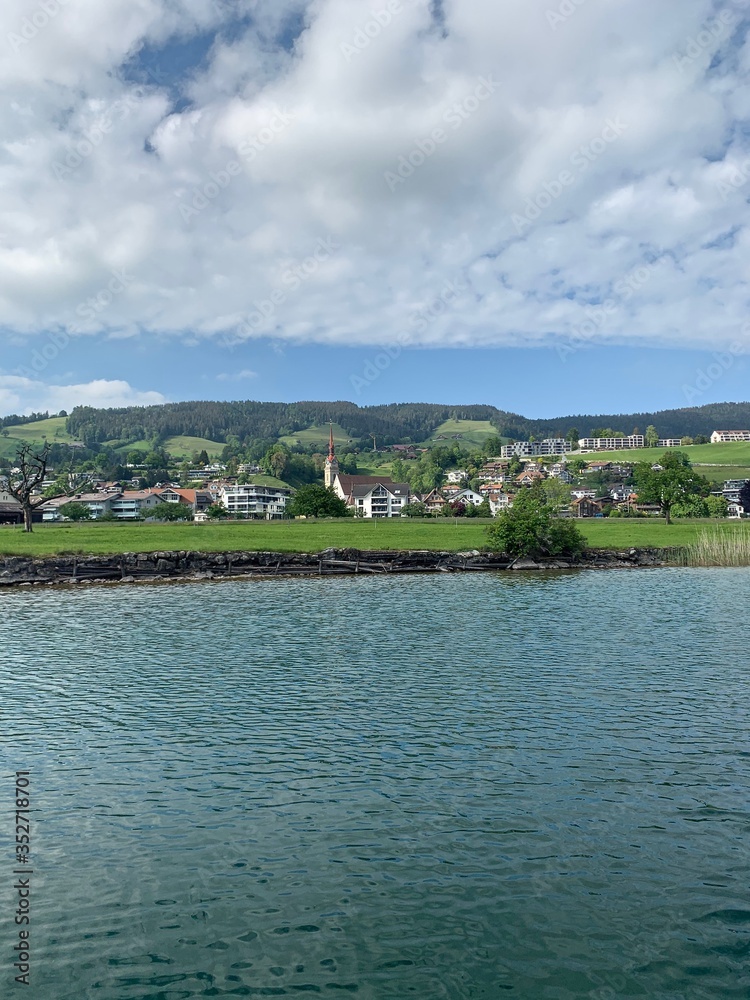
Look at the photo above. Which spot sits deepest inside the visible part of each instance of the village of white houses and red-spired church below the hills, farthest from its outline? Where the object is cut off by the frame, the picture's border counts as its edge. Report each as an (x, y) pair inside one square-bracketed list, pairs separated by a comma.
[(580, 482)]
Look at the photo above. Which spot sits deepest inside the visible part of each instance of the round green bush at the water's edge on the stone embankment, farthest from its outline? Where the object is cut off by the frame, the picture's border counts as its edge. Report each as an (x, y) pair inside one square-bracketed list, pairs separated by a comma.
[(529, 529)]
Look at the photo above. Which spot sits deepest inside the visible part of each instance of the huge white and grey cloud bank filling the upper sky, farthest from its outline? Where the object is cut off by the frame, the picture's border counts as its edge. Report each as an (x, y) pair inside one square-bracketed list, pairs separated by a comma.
[(211, 208)]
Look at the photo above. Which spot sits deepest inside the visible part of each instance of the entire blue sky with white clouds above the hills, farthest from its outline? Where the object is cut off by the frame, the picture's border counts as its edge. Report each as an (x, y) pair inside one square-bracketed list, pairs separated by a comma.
[(538, 204)]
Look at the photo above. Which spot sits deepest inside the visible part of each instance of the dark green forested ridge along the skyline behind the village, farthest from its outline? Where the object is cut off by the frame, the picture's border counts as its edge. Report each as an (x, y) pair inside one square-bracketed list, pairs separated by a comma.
[(393, 423)]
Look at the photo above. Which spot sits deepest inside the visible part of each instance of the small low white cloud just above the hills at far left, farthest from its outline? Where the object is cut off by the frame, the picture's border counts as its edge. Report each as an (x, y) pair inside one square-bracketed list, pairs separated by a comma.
[(24, 395)]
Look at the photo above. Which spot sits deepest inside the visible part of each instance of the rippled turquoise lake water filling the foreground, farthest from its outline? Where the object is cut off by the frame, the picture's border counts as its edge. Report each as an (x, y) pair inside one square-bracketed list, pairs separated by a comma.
[(453, 787)]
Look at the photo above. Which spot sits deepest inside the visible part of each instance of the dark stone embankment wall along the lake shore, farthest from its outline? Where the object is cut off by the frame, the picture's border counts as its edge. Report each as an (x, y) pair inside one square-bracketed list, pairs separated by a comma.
[(150, 566)]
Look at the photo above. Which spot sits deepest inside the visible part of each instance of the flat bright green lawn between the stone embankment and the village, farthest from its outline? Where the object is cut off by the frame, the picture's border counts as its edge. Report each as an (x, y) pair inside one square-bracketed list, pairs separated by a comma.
[(312, 536)]
